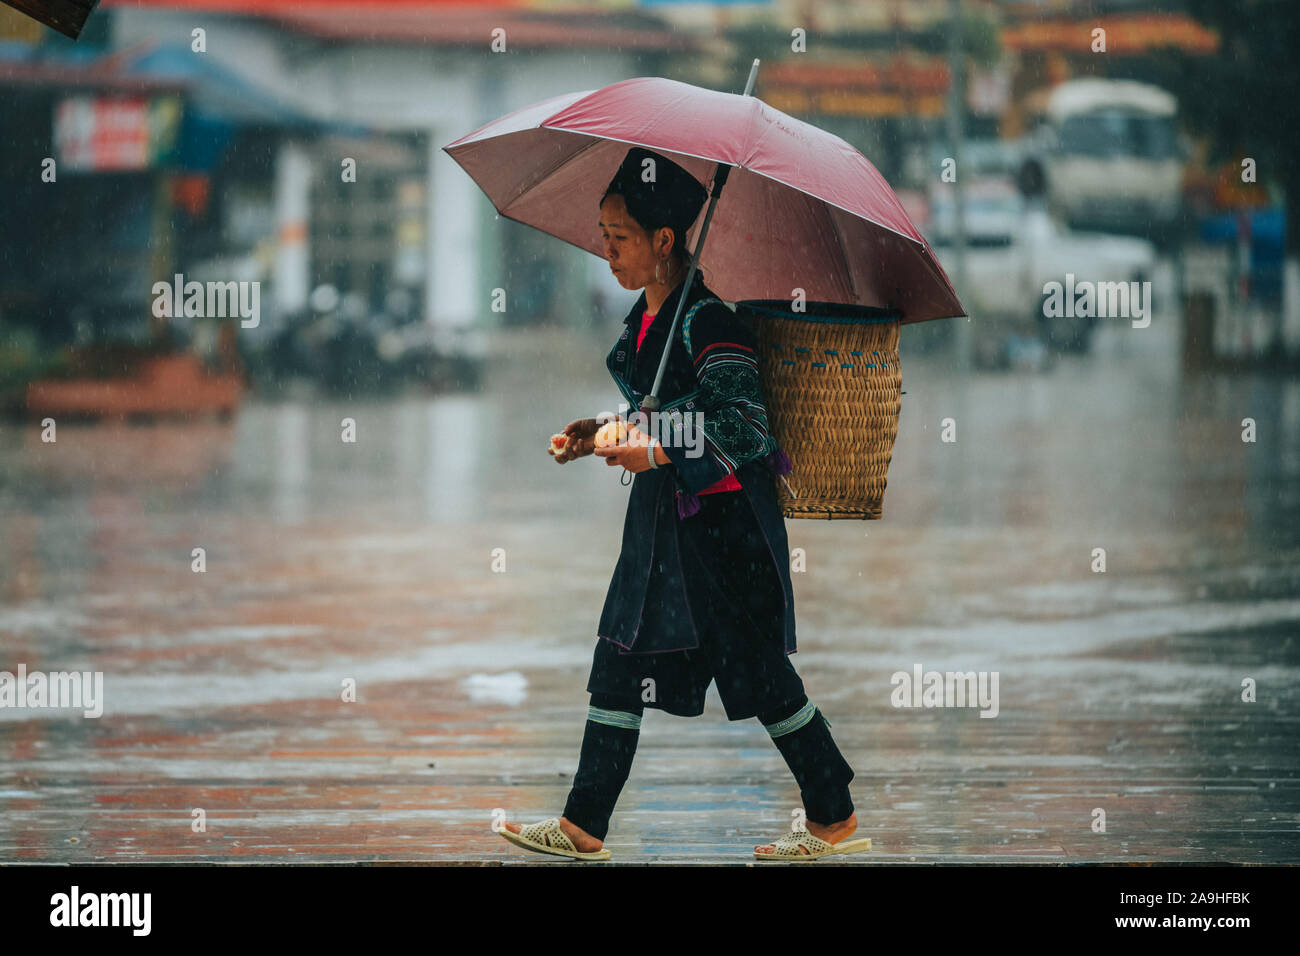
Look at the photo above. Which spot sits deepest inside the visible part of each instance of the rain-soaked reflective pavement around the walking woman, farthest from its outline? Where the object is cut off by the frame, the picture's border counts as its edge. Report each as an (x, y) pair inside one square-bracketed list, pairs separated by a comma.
[(371, 563)]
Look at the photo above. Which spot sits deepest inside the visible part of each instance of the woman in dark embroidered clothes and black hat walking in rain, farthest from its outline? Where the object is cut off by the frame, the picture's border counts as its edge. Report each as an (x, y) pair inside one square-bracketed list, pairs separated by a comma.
[(701, 591)]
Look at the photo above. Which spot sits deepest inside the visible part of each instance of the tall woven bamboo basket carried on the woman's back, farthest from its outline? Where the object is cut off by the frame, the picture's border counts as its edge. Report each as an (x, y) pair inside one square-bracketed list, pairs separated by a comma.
[(834, 388)]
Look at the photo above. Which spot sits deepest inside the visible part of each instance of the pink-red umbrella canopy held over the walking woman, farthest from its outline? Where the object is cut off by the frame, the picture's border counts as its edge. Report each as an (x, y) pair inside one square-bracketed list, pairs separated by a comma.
[(801, 210)]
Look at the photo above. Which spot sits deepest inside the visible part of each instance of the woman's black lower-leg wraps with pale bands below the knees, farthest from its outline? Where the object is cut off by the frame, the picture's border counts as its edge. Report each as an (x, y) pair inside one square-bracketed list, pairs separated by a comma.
[(820, 769)]
